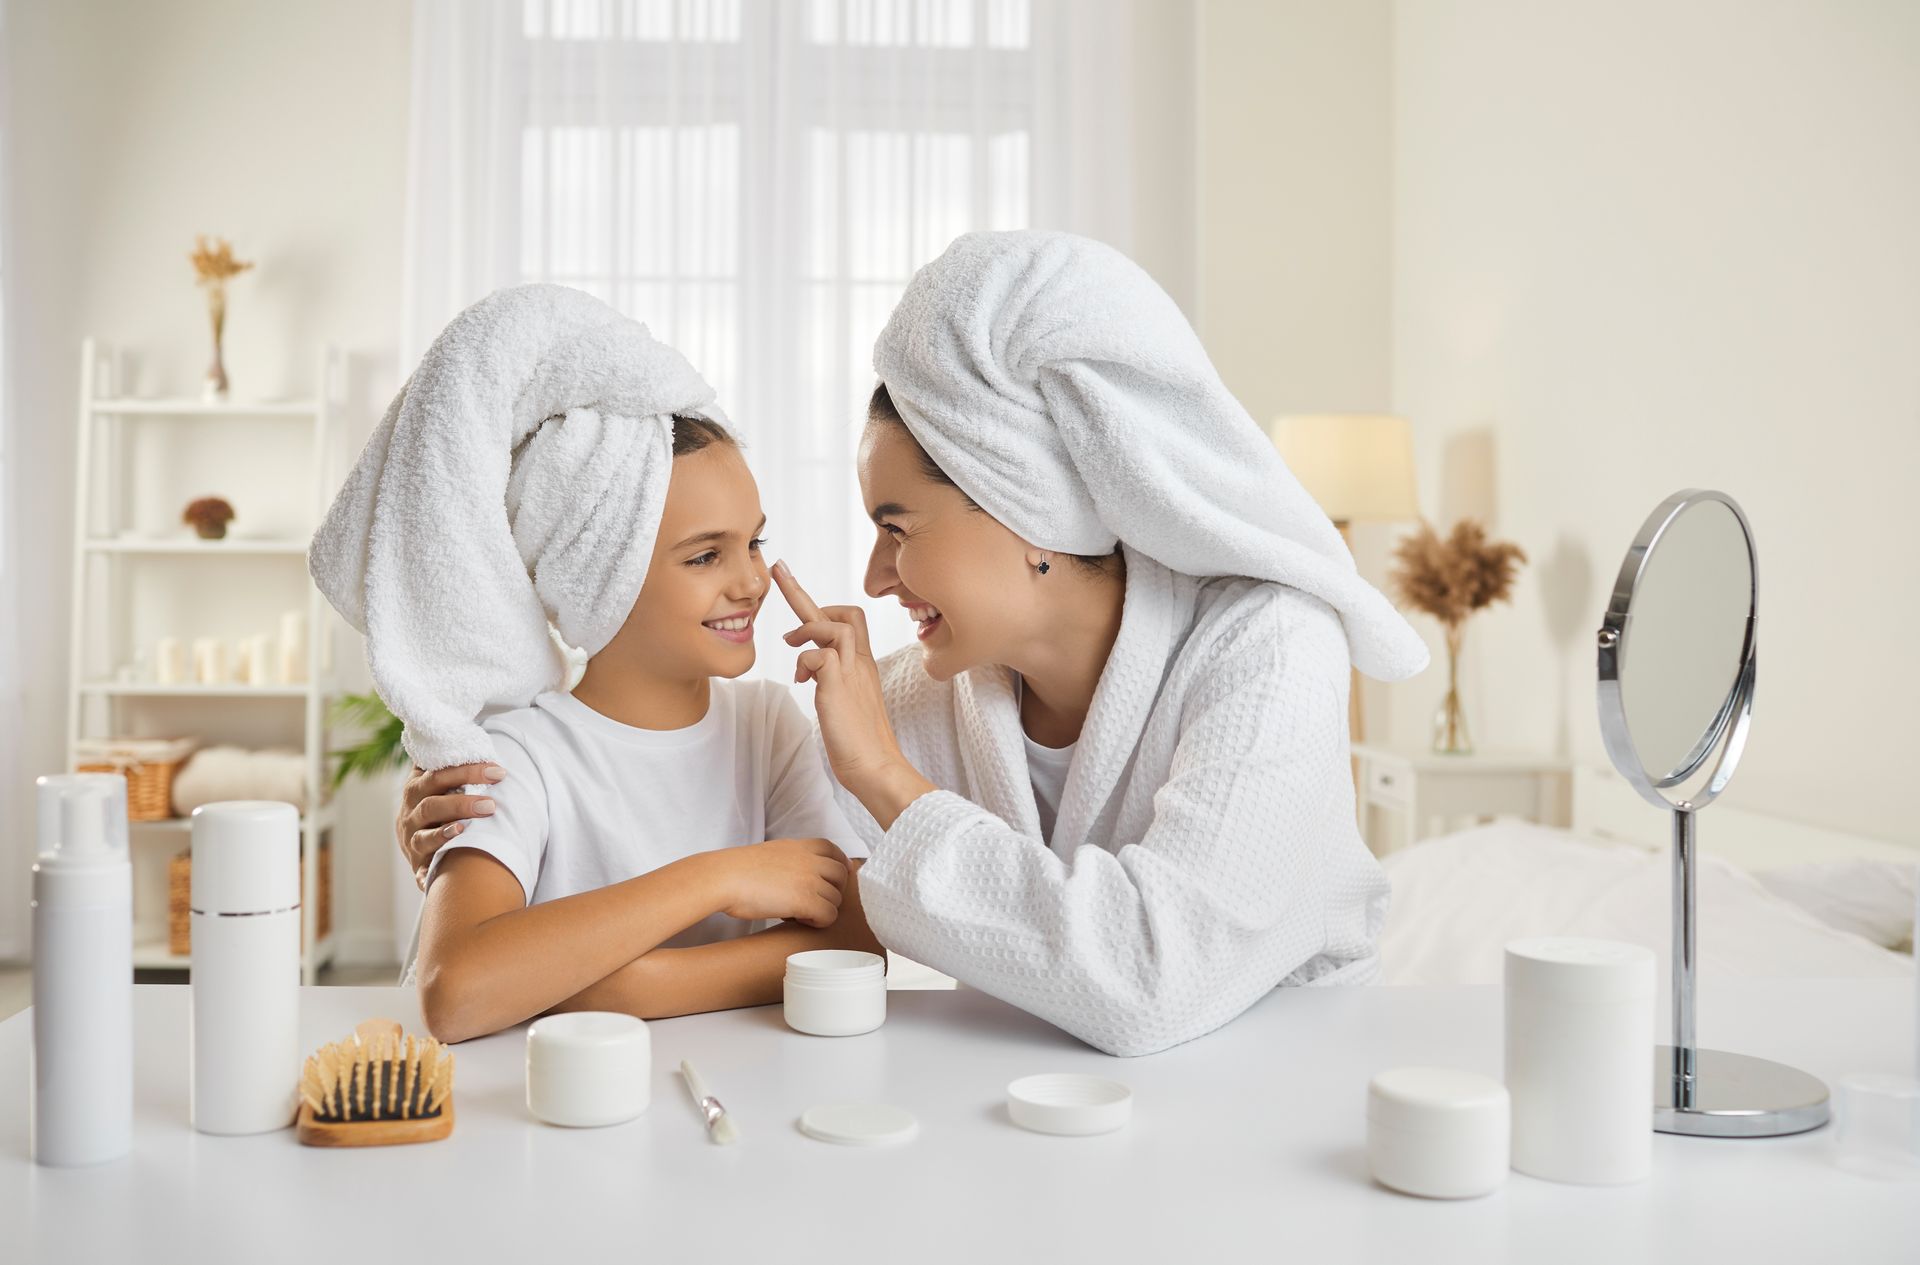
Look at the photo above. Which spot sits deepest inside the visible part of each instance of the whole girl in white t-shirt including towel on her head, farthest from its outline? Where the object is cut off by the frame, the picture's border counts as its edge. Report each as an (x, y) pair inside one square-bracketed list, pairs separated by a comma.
[(654, 815)]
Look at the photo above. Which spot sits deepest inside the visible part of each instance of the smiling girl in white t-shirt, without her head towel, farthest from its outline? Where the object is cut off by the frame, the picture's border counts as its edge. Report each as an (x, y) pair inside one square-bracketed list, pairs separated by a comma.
[(615, 869)]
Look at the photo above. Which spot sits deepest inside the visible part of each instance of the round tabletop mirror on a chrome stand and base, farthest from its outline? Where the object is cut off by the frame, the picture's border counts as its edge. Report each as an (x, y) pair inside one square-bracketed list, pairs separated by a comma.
[(1675, 704)]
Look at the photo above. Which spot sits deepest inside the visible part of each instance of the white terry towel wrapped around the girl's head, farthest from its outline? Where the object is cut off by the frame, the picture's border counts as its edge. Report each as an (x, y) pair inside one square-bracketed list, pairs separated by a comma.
[(516, 483)]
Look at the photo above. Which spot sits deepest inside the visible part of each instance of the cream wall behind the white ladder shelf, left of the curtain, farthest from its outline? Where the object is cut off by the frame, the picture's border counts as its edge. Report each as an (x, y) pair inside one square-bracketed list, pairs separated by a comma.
[(135, 128)]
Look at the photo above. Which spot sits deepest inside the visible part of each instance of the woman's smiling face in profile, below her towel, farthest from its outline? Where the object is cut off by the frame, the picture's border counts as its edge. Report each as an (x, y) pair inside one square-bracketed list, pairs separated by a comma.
[(959, 571)]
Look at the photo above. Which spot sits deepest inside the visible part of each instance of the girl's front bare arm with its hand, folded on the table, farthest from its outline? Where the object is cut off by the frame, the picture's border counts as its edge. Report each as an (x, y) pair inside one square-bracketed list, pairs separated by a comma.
[(491, 961)]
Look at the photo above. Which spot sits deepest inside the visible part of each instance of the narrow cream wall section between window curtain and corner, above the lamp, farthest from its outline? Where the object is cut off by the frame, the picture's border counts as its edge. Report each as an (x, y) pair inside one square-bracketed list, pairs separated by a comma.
[(1295, 176)]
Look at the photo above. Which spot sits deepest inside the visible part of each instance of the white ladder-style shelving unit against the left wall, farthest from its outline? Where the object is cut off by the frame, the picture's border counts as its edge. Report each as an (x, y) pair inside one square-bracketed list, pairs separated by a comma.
[(110, 550)]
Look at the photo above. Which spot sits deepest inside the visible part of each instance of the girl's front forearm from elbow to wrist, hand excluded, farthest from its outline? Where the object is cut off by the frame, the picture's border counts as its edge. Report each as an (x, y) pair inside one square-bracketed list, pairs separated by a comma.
[(489, 961)]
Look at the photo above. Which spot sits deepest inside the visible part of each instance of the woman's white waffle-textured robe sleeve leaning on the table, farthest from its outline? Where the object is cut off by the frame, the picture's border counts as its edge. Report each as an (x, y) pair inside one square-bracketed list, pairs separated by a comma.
[(1241, 872)]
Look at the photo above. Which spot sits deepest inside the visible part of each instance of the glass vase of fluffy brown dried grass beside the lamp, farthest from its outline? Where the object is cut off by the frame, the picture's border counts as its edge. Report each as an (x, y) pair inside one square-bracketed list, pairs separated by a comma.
[(1452, 577)]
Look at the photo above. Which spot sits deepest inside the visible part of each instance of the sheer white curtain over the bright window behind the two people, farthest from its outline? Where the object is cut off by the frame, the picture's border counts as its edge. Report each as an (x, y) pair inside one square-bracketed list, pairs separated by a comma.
[(757, 179)]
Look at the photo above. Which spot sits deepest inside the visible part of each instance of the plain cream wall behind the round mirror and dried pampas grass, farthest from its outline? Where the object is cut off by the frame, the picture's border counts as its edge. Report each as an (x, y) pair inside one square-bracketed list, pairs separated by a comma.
[(1643, 247)]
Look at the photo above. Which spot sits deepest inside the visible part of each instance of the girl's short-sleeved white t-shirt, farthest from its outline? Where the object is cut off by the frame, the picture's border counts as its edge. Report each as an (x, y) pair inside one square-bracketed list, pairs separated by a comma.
[(590, 801)]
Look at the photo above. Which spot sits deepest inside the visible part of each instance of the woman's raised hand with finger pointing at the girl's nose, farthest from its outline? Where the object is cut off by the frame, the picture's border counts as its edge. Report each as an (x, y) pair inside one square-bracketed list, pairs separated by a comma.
[(853, 715)]
